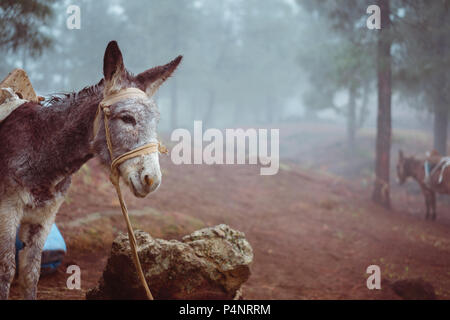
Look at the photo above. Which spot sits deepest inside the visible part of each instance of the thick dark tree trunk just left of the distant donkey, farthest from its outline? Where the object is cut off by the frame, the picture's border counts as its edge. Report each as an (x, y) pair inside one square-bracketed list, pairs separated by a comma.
[(383, 141)]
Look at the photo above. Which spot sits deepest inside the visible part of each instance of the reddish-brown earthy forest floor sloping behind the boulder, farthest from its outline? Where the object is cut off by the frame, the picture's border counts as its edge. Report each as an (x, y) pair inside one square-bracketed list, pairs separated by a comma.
[(313, 232)]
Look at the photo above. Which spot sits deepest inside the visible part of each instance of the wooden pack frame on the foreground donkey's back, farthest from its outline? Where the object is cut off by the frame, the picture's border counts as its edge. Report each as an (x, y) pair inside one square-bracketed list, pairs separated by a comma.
[(19, 82)]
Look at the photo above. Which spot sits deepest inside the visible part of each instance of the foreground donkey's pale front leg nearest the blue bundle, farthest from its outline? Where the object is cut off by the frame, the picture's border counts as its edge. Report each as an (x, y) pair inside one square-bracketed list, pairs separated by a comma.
[(33, 236)]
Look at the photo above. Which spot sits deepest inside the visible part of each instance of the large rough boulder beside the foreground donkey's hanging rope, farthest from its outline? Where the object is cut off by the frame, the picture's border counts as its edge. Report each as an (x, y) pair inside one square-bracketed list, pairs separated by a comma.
[(210, 263)]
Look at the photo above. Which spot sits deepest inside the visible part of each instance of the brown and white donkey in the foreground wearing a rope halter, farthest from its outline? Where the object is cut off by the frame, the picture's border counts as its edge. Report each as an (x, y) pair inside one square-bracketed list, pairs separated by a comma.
[(41, 147)]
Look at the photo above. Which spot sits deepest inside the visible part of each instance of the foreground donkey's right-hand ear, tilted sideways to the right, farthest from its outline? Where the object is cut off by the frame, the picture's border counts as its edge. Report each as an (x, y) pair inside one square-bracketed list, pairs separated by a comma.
[(153, 78)]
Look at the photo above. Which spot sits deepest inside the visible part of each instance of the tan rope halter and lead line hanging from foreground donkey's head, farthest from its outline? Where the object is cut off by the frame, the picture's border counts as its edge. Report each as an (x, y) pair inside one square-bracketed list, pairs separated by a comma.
[(115, 180)]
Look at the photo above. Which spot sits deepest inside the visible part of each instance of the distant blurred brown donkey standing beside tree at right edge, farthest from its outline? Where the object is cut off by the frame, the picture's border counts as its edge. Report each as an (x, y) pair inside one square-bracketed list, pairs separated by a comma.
[(431, 174)]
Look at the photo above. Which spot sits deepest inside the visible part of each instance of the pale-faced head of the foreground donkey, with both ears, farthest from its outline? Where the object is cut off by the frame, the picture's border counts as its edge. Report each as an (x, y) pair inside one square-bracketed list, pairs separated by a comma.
[(132, 121)]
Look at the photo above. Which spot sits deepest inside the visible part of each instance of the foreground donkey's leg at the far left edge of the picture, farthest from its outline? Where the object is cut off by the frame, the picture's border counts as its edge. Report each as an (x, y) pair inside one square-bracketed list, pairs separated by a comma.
[(10, 215)]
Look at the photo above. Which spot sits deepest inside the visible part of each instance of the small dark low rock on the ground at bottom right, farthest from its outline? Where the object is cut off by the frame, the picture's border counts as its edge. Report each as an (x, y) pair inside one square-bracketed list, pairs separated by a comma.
[(414, 289)]
